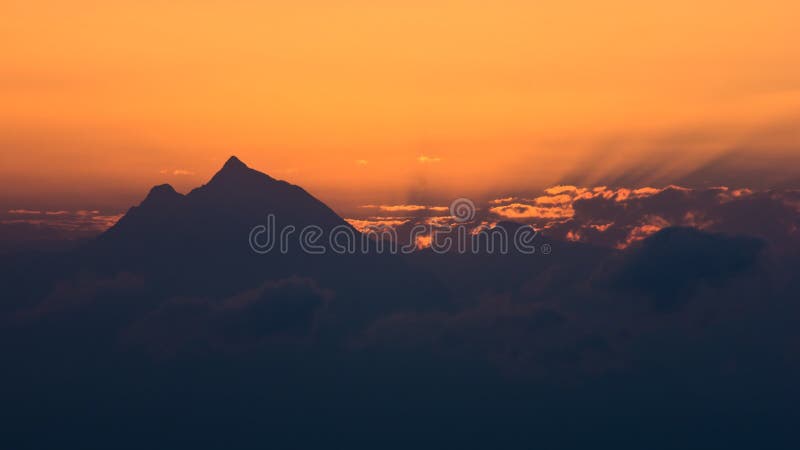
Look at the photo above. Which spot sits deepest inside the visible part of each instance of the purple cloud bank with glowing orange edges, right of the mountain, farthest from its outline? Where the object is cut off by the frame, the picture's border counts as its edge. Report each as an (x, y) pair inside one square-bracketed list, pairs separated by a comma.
[(619, 217)]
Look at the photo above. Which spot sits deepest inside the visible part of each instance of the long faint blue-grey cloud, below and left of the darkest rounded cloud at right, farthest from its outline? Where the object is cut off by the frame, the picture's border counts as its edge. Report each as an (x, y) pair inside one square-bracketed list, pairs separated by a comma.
[(535, 341)]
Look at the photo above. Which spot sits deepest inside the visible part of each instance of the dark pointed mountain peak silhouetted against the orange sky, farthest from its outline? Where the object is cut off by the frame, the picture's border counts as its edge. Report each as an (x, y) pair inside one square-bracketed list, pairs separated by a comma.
[(232, 202)]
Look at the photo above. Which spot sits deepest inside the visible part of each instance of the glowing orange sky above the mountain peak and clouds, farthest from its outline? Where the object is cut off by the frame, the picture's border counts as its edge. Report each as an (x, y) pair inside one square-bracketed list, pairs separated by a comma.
[(362, 101)]
